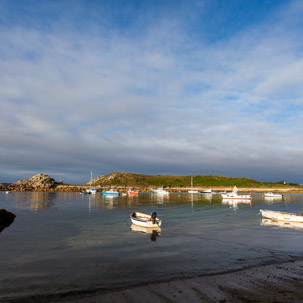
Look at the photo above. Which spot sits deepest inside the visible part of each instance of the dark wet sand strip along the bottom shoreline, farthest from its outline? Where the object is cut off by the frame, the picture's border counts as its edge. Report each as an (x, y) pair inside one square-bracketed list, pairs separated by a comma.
[(270, 283)]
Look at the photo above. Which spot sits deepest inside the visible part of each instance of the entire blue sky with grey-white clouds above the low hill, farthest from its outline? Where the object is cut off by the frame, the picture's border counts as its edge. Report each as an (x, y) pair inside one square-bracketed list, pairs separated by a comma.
[(208, 87)]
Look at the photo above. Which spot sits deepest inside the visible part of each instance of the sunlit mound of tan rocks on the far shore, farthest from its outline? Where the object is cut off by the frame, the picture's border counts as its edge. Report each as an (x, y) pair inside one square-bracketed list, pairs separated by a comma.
[(37, 182)]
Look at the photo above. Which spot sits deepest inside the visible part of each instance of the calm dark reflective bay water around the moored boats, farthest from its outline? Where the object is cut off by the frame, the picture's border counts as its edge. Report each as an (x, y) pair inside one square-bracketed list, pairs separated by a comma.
[(60, 242)]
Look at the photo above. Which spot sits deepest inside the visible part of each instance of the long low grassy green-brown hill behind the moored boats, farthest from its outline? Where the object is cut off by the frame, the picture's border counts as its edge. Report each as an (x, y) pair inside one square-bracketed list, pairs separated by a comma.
[(129, 179)]
